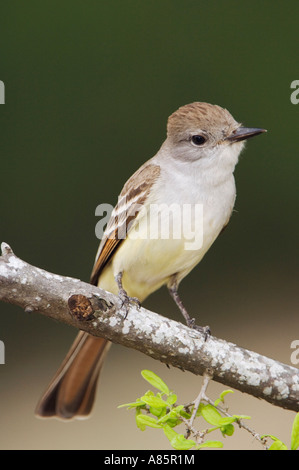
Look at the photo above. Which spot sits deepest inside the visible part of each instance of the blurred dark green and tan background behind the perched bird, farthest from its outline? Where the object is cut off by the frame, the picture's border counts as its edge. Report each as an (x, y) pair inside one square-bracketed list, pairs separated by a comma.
[(88, 88)]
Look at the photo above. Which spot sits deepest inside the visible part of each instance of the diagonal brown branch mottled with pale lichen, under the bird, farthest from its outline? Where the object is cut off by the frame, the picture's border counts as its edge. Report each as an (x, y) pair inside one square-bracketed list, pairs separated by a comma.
[(98, 312)]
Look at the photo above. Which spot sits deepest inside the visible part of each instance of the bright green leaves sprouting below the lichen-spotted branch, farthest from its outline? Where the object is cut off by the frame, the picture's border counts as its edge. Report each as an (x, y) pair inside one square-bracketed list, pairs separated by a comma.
[(160, 410)]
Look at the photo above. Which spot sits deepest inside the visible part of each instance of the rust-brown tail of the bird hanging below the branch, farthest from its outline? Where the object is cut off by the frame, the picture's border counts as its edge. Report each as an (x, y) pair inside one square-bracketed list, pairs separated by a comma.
[(70, 393)]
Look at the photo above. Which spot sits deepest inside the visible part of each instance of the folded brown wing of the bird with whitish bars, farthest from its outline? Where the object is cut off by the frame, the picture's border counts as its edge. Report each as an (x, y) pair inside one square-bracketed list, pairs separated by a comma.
[(131, 198)]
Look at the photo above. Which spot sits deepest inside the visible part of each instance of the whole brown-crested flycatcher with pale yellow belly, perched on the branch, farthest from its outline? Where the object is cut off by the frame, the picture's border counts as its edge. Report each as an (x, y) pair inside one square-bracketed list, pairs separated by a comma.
[(193, 168)]
